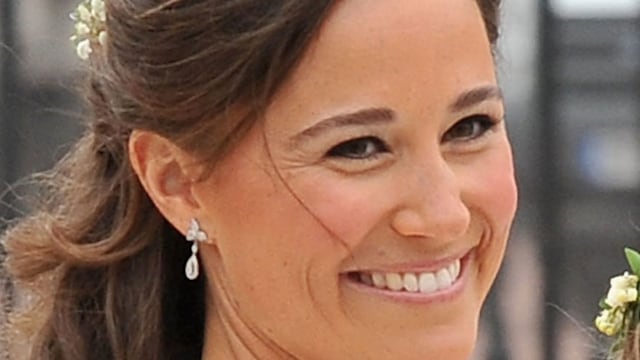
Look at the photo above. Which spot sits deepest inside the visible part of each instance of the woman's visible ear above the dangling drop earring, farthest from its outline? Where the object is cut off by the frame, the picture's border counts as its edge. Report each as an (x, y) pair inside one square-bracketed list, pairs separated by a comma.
[(167, 174)]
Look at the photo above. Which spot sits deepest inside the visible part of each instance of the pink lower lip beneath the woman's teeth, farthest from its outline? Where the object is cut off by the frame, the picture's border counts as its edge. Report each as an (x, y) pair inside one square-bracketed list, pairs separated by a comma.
[(441, 296)]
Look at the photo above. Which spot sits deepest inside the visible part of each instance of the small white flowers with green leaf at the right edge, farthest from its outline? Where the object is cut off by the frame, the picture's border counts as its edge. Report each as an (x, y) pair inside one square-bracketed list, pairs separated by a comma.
[(620, 312)]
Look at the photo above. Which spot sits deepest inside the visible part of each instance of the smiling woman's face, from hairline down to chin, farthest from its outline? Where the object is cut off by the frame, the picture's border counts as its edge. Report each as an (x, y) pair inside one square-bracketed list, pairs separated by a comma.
[(367, 215)]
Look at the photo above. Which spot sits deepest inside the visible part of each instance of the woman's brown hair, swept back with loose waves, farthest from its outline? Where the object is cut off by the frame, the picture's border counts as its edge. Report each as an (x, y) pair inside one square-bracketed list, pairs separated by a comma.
[(107, 268)]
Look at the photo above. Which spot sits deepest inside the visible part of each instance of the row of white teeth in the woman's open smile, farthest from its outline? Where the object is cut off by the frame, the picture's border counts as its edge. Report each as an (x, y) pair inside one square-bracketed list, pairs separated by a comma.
[(426, 282)]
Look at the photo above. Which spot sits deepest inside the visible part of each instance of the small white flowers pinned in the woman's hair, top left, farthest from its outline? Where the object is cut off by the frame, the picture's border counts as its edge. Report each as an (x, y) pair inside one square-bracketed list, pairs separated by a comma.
[(90, 27)]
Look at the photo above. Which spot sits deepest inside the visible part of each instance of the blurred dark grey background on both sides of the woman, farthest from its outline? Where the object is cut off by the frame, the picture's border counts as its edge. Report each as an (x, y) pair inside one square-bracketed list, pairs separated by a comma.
[(571, 74)]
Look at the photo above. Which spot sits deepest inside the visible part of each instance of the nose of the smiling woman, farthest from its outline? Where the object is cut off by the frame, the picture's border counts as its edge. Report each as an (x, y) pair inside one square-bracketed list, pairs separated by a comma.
[(432, 204)]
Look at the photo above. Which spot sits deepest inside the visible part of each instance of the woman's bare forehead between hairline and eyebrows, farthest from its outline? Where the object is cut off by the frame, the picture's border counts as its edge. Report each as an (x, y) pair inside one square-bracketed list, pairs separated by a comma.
[(370, 50)]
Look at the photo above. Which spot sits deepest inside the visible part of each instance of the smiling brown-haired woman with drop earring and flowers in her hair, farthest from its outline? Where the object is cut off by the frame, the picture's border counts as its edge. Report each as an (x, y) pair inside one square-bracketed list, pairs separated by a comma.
[(341, 171)]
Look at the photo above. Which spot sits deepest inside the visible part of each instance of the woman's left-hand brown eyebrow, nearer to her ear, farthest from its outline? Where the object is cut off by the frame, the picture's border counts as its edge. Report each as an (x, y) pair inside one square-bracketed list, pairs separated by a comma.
[(369, 116)]
